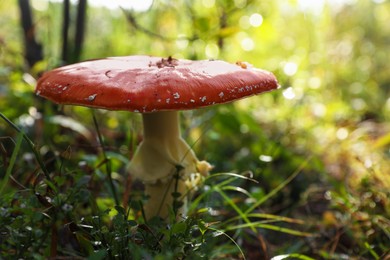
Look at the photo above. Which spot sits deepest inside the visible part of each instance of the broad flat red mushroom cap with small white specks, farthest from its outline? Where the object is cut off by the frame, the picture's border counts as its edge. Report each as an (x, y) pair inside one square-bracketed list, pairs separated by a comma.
[(148, 84)]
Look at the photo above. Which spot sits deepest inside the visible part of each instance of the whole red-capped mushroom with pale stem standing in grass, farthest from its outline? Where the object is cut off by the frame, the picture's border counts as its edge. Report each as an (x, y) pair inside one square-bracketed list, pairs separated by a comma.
[(158, 88)]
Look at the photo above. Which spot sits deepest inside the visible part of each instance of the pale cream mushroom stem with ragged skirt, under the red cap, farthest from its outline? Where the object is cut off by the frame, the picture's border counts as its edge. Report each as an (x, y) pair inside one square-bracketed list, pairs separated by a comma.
[(164, 162)]
